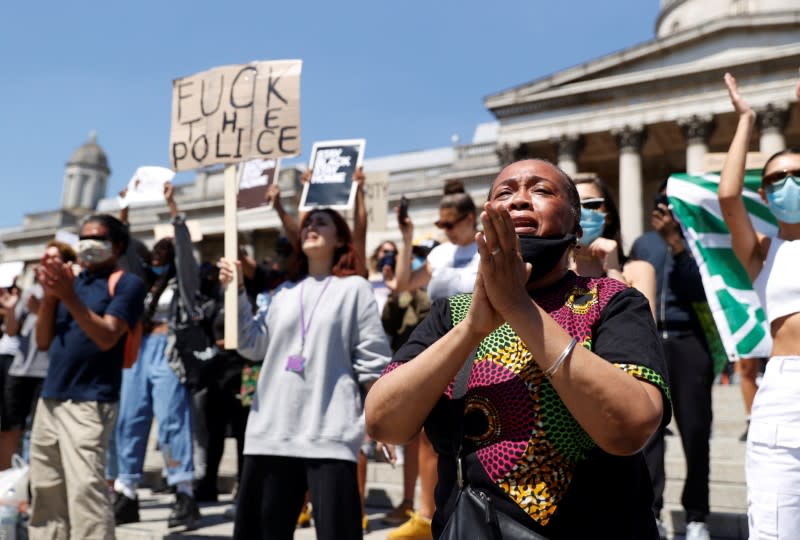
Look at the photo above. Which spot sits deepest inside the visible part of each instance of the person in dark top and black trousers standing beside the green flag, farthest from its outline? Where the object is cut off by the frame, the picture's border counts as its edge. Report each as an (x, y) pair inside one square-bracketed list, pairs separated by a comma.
[(689, 363)]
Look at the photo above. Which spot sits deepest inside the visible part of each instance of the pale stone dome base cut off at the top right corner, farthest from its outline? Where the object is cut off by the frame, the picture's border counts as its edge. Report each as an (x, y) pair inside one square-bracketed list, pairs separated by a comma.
[(678, 15)]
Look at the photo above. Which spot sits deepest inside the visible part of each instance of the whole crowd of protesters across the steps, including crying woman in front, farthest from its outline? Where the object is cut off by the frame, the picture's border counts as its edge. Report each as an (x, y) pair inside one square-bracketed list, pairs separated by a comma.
[(526, 367)]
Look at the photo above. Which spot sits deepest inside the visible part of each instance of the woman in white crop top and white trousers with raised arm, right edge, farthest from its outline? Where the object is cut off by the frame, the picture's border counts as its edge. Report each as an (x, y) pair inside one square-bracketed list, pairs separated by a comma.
[(772, 463)]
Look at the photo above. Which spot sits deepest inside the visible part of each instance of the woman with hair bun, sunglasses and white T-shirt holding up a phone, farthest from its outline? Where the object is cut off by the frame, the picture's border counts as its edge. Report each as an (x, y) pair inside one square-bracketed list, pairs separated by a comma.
[(450, 269)]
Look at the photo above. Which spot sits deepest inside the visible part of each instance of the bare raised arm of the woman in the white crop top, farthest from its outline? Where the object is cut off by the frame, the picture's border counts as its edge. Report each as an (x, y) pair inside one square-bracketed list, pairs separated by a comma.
[(745, 240)]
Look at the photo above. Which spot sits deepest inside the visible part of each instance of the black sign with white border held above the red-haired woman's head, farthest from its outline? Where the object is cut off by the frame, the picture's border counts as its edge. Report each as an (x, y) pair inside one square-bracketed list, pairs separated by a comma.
[(333, 164)]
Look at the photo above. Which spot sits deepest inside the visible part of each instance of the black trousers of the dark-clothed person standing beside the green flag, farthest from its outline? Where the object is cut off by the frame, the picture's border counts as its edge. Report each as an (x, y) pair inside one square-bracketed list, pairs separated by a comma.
[(691, 374)]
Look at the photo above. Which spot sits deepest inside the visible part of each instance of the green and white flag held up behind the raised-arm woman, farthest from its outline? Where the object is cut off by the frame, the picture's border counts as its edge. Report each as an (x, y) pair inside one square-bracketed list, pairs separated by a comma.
[(735, 307)]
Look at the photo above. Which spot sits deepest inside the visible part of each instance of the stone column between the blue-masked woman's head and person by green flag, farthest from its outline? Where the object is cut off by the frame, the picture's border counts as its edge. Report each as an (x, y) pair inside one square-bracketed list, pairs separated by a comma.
[(631, 213)]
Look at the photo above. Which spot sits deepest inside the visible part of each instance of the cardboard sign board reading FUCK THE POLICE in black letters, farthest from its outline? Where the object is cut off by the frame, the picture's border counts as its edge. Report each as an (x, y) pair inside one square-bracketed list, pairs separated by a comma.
[(234, 113)]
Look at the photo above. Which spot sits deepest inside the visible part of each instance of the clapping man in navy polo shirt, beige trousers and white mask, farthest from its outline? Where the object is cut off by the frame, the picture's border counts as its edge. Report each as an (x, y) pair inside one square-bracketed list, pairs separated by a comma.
[(83, 327)]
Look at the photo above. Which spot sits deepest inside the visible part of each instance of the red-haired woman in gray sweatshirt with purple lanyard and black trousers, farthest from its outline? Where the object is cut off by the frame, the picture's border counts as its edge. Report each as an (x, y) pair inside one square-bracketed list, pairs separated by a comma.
[(323, 345)]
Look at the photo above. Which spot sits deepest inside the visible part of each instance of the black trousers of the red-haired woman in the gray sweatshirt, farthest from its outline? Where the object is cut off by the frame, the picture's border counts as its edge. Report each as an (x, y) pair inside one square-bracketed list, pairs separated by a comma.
[(272, 492)]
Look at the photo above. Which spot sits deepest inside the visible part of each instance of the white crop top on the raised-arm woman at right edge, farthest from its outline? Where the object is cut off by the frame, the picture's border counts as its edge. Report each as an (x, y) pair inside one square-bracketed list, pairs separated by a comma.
[(777, 285)]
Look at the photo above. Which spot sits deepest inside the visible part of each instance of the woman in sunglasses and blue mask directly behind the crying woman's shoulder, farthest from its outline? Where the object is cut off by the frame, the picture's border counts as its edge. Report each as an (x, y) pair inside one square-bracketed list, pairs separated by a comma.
[(600, 248)]
